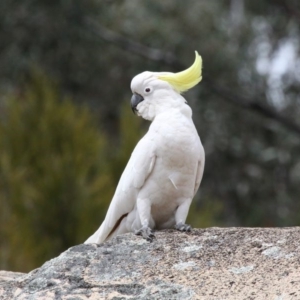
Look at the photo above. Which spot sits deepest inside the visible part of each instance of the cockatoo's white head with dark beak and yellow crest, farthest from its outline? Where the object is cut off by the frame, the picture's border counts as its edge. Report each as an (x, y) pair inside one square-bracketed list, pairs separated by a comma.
[(154, 92)]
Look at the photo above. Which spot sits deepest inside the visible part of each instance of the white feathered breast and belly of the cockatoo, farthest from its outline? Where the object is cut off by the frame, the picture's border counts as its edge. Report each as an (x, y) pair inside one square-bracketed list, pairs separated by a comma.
[(177, 151)]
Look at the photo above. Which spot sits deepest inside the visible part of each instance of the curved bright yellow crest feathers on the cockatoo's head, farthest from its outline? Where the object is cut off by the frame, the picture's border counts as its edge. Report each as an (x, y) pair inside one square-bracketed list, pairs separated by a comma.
[(185, 80)]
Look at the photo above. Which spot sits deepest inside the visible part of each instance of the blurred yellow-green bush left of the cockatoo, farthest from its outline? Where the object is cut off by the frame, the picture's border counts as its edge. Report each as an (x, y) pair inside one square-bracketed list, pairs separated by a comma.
[(54, 176)]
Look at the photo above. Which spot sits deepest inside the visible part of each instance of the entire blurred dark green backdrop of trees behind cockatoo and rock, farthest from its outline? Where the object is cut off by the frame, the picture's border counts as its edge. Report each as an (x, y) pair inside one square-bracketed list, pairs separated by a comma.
[(67, 130)]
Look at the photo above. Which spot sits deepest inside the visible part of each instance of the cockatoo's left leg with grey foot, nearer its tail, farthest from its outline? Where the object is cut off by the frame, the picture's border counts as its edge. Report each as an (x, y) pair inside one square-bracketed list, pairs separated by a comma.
[(144, 211)]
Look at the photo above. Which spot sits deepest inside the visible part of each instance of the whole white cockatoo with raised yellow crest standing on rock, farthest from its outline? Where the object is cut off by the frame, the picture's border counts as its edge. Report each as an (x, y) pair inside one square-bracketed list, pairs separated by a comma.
[(166, 167)]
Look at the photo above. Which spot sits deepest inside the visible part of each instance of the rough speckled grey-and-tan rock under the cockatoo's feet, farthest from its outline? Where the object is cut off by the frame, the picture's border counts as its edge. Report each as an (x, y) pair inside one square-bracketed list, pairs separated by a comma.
[(213, 263)]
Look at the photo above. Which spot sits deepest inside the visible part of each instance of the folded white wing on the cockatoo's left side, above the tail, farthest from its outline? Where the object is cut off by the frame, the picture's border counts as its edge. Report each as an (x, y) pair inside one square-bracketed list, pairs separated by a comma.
[(138, 169)]
